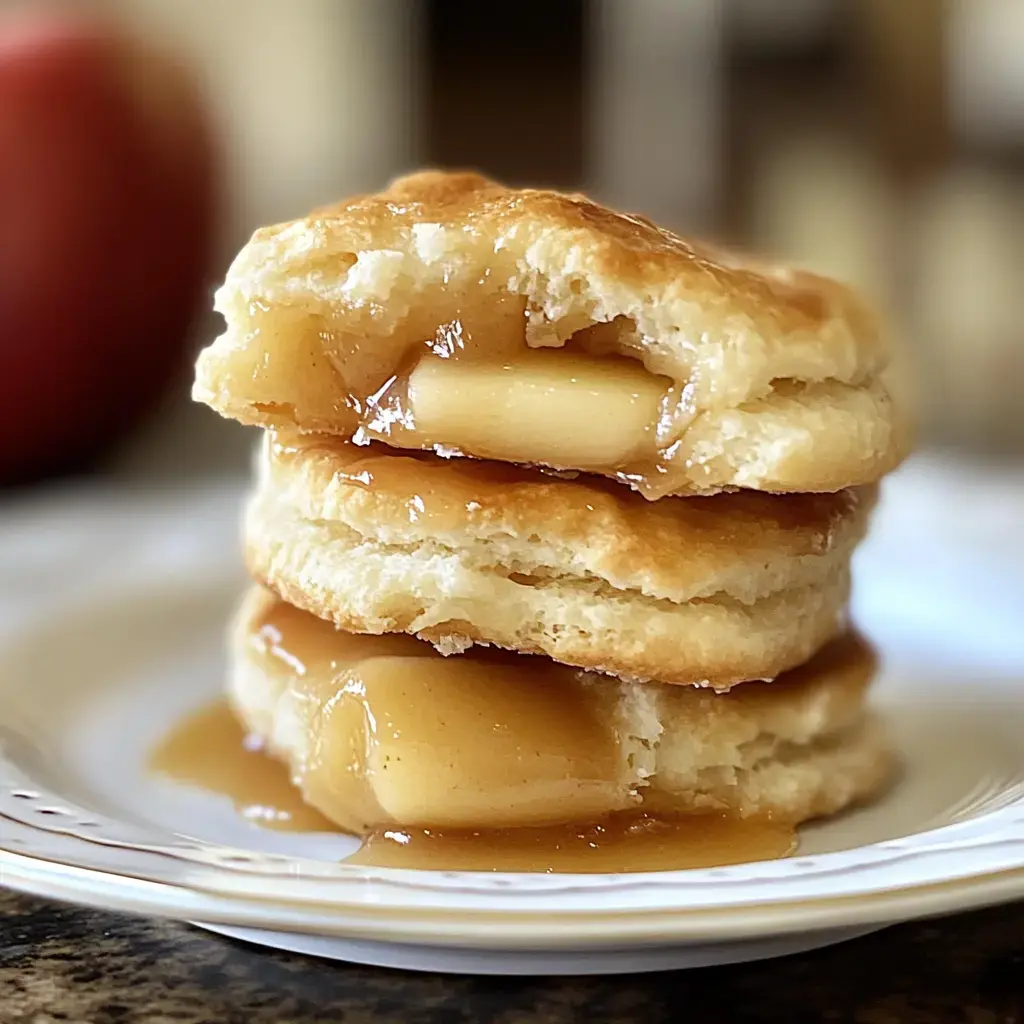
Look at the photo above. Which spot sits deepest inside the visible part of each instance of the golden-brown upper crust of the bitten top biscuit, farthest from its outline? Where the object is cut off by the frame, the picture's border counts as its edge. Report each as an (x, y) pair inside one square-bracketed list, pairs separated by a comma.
[(625, 252)]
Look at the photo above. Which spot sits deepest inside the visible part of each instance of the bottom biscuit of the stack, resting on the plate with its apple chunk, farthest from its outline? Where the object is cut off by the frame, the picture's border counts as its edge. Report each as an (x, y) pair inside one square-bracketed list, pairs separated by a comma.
[(381, 732)]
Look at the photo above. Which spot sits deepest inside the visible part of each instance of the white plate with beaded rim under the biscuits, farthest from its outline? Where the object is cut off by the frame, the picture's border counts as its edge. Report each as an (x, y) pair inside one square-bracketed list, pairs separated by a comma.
[(112, 612)]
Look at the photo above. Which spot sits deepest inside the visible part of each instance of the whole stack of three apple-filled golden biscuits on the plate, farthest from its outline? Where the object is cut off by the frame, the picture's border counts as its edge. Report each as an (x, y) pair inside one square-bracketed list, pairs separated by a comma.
[(554, 515)]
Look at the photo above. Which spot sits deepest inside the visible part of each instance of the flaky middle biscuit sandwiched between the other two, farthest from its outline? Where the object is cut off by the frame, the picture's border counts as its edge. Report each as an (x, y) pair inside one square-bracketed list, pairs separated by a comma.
[(712, 591)]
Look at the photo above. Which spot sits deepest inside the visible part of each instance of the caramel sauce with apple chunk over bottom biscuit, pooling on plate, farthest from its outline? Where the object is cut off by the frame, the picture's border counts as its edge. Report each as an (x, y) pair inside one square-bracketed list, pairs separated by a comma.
[(475, 762)]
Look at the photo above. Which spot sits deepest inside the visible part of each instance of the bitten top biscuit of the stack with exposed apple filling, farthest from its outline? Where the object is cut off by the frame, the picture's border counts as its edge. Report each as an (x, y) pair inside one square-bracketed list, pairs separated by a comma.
[(451, 313)]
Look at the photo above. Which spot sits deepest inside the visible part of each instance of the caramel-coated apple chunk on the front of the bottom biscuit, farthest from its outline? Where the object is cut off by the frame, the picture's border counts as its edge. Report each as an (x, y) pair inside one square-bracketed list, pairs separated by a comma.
[(463, 744)]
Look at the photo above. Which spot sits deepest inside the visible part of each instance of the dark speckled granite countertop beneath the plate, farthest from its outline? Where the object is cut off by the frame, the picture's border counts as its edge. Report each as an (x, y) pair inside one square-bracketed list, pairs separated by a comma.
[(61, 963)]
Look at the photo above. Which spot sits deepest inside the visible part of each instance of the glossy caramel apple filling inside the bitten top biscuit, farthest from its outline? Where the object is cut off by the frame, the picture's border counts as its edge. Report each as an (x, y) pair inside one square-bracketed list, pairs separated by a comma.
[(521, 397)]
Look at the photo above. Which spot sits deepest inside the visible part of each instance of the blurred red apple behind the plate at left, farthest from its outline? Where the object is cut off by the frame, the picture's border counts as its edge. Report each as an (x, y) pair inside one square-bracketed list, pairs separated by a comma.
[(107, 206)]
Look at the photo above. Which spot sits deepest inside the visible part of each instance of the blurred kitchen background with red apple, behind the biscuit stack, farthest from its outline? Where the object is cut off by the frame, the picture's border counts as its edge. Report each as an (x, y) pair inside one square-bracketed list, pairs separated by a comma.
[(143, 141)]
